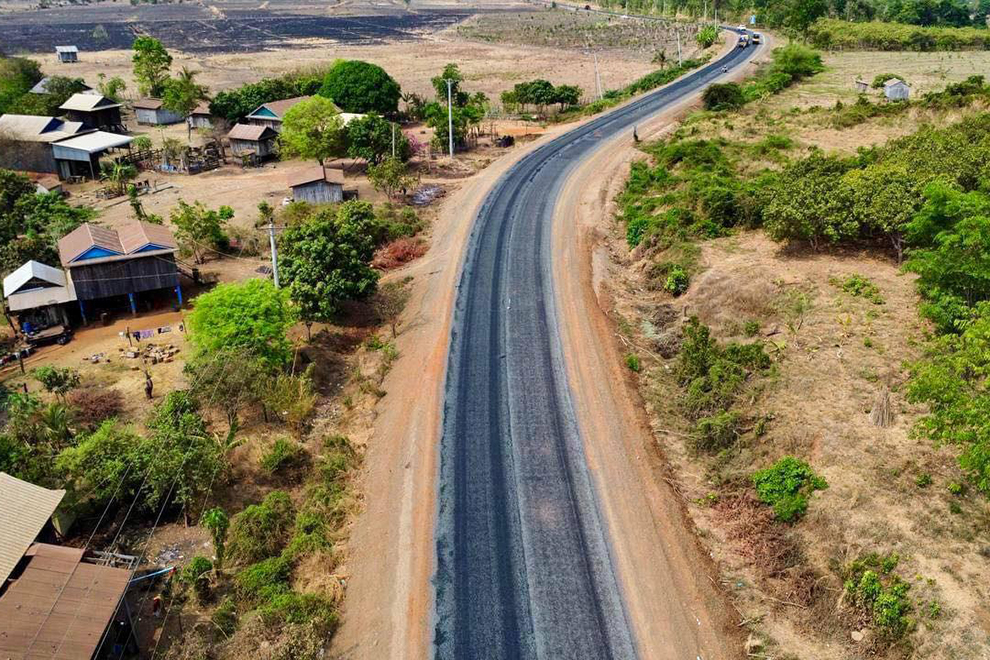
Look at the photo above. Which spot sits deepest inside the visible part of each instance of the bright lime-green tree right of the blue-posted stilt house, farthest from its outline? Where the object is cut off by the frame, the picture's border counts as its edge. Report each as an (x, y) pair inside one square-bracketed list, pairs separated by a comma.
[(253, 315)]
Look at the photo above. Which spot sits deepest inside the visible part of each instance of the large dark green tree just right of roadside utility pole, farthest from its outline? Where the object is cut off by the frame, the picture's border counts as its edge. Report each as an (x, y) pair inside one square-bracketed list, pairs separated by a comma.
[(325, 261)]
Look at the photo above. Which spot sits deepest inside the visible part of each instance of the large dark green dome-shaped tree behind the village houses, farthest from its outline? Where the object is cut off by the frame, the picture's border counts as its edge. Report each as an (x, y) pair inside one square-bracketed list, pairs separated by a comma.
[(361, 87)]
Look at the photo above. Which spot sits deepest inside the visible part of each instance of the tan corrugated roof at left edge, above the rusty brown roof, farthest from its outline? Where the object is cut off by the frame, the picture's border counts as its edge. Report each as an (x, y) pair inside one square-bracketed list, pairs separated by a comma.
[(26, 508)]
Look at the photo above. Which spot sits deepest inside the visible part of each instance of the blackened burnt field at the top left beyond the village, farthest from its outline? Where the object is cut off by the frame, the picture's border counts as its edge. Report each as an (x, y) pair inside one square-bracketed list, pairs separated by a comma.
[(196, 29)]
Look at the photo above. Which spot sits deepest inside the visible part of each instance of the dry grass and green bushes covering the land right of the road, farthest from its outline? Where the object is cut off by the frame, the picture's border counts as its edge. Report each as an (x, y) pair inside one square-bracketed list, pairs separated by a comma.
[(779, 287)]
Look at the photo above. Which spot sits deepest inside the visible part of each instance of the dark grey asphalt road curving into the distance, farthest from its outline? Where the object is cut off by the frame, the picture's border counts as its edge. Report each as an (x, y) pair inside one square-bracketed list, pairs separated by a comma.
[(523, 565)]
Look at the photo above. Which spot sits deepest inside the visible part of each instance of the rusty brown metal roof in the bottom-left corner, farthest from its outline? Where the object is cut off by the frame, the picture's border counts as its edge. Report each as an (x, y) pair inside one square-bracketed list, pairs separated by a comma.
[(59, 607)]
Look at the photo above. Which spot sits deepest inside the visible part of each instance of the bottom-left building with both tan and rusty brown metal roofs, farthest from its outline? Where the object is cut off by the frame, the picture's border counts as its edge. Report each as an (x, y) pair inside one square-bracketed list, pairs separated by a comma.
[(55, 602)]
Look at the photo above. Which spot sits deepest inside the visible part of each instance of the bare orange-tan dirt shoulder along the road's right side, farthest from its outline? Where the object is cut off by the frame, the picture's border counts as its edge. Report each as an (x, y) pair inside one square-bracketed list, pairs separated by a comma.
[(669, 582)]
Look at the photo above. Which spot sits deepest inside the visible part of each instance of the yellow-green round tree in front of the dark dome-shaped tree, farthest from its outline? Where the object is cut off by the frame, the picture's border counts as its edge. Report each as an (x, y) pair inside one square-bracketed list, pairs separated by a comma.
[(314, 129)]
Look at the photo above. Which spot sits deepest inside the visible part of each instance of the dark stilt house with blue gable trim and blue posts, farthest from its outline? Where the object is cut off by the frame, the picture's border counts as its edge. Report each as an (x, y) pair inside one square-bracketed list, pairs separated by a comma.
[(104, 264)]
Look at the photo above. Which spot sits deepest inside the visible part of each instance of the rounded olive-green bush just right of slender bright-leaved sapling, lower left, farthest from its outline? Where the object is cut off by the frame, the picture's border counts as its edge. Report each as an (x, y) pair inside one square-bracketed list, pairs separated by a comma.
[(261, 530)]
